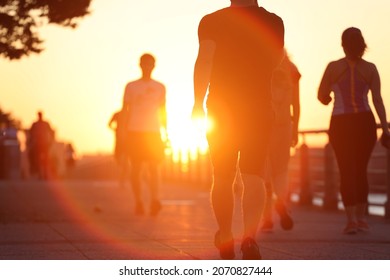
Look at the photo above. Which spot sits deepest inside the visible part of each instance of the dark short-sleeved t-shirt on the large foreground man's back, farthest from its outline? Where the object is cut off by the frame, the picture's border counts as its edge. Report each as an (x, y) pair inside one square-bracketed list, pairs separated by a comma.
[(249, 41)]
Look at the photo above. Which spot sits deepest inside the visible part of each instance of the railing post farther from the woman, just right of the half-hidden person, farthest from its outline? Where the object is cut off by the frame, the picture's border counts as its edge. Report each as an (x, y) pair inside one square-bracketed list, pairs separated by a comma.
[(305, 197)]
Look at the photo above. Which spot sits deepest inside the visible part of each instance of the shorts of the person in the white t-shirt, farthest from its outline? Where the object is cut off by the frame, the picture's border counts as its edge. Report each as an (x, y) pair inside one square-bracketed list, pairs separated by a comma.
[(145, 146)]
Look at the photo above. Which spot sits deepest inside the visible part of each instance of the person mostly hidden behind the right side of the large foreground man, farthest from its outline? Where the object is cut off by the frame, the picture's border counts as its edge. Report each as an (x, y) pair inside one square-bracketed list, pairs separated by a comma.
[(285, 93)]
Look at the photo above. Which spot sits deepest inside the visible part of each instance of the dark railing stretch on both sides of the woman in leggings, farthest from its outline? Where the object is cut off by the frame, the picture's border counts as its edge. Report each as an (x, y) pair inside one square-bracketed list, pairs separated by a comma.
[(328, 187)]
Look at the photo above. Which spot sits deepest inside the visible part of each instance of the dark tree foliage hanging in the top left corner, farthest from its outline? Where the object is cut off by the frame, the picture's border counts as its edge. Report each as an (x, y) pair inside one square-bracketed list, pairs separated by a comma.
[(20, 20)]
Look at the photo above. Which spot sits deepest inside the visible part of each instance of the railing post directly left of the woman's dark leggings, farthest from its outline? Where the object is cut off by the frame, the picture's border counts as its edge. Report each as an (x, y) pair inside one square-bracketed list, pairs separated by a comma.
[(331, 190)]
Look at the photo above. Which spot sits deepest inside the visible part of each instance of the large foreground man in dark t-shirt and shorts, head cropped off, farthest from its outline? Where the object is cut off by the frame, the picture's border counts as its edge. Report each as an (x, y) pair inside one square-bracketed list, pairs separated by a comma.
[(239, 47)]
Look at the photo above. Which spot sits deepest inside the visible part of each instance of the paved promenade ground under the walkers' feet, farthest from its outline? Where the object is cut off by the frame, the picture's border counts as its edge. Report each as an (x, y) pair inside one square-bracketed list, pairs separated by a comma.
[(77, 220)]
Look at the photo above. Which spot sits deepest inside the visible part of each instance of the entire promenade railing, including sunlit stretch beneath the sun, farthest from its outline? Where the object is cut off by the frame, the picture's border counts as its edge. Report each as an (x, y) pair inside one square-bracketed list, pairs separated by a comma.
[(313, 173)]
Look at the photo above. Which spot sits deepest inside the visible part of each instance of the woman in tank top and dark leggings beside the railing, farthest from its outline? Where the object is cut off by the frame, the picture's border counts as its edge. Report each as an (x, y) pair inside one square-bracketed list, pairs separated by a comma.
[(352, 131)]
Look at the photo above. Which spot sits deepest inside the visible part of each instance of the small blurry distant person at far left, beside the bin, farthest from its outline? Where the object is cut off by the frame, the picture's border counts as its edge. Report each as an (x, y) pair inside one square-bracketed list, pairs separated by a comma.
[(41, 139)]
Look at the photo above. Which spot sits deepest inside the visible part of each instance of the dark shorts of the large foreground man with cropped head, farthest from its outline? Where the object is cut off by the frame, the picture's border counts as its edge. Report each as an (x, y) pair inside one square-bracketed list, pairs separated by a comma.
[(246, 137)]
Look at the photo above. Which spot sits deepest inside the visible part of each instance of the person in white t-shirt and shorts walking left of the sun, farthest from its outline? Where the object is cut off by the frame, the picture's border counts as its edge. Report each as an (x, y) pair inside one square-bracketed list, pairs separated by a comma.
[(145, 99)]
